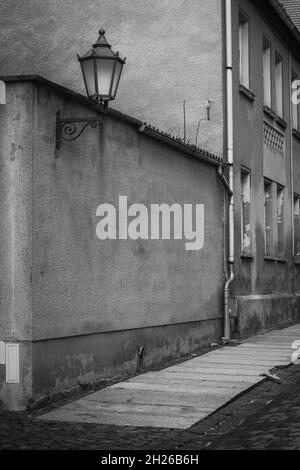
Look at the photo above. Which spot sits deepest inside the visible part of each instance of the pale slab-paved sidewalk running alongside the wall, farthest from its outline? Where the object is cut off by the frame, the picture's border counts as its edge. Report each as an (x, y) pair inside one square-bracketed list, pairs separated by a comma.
[(181, 395)]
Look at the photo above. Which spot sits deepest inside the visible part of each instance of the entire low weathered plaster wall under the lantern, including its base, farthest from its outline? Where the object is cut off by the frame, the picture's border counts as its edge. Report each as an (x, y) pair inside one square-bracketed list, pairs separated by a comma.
[(68, 298)]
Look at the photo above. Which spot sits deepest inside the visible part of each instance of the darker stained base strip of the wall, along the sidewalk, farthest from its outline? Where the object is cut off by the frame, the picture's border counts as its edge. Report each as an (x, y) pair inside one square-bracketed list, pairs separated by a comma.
[(62, 364)]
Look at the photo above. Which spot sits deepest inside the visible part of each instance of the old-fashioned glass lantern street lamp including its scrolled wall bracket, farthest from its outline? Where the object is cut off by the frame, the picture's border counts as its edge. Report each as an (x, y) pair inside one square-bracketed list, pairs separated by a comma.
[(101, 69)]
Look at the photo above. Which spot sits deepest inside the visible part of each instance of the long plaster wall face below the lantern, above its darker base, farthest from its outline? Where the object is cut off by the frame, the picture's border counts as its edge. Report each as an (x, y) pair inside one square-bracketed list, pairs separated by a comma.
[(83, 285)]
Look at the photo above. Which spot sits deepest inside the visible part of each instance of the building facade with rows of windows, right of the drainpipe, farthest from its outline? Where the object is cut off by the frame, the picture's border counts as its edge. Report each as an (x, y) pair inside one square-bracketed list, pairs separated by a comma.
[(266, 164)]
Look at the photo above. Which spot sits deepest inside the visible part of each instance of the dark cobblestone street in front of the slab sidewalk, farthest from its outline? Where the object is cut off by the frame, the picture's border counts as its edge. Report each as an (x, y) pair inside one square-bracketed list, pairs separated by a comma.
[(266, 417)]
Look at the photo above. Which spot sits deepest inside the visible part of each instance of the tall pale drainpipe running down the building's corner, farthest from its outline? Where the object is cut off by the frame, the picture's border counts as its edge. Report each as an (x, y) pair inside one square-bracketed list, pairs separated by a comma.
[(229, 105)]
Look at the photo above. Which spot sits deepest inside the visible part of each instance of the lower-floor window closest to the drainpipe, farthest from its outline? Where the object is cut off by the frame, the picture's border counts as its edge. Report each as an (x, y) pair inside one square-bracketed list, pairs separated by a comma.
[(245, 212)]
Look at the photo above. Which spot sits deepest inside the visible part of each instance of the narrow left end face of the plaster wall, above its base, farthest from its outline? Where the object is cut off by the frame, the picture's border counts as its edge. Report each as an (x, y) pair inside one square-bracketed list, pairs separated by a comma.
[(15, 213)]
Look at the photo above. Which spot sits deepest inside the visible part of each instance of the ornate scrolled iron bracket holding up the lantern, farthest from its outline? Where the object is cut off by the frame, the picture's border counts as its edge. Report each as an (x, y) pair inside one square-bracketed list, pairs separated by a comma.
[(71, 128)]
